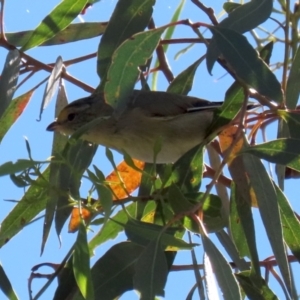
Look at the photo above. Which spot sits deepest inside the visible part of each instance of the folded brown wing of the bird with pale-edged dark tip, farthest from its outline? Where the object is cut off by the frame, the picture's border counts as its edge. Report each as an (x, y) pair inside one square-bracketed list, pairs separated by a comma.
[(166, 104)]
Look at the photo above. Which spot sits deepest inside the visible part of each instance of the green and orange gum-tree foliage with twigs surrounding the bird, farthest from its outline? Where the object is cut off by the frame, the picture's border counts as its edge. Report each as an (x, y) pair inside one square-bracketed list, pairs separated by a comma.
[(171, 203)]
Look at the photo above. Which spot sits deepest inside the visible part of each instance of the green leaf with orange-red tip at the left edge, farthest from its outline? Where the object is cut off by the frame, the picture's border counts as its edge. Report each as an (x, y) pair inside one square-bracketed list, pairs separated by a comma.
[(13, 111)]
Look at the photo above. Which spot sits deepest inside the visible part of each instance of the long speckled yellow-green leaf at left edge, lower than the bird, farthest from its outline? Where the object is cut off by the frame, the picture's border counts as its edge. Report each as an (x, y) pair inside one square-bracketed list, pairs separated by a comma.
[(31, 204)]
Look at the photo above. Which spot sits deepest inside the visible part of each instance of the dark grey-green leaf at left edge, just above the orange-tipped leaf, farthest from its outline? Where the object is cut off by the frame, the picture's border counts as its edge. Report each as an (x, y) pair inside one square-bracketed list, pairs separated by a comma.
[(9, 79)]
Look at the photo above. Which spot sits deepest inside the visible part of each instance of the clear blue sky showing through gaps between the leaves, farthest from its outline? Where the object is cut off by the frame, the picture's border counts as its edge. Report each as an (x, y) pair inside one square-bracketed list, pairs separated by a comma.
[(23, 251)]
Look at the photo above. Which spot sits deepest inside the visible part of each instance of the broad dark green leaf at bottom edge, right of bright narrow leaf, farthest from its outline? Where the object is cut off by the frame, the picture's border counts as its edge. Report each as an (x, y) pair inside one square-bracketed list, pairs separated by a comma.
[(113, 273)]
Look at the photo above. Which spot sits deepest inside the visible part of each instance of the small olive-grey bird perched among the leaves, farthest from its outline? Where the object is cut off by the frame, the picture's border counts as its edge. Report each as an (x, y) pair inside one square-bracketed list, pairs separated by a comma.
[(180, 121)]
